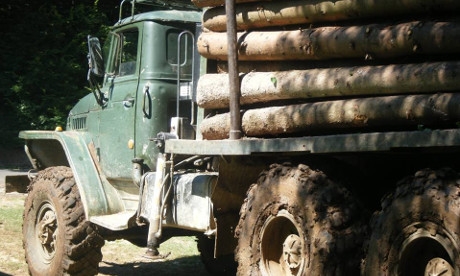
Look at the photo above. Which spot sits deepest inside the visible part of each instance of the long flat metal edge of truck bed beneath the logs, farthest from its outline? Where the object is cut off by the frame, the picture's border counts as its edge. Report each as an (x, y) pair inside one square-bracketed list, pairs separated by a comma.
[(342, 143)]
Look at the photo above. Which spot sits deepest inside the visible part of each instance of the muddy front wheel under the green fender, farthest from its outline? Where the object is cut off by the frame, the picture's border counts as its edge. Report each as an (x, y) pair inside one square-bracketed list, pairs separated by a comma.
[(57, 238)]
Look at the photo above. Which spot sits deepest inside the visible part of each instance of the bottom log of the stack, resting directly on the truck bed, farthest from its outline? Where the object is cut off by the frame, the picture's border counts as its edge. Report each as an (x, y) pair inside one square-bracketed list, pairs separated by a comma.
[(353, 114)]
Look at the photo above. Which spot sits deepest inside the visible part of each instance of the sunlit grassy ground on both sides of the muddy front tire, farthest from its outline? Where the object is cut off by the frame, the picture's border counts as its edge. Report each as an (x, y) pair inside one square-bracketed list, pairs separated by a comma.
[(120, 257)]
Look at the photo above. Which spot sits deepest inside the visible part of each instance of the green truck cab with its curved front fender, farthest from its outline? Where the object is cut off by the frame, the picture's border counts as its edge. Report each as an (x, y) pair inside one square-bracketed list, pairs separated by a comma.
[(138, 96)]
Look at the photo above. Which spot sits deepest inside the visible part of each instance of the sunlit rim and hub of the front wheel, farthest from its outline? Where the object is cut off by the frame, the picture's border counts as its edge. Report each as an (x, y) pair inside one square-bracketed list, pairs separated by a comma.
[(46, 231)]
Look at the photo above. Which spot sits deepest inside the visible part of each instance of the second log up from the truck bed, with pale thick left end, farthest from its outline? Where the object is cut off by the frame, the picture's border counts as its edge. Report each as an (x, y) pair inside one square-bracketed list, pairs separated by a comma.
[(259, 87)]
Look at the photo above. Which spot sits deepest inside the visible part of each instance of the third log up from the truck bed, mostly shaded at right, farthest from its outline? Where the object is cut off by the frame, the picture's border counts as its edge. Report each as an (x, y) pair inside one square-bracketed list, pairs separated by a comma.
[(372, 41)]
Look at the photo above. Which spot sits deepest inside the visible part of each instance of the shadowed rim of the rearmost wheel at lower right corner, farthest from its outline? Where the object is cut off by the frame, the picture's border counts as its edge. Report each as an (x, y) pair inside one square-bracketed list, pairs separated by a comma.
[(415, 259)]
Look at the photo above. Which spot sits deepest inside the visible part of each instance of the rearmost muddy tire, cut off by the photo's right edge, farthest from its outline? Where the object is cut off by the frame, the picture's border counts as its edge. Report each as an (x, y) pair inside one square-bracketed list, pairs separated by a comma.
[(417, 230)]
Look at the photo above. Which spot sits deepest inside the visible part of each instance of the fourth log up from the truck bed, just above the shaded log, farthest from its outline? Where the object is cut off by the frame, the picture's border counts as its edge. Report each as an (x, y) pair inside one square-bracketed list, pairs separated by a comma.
[(281, 13)]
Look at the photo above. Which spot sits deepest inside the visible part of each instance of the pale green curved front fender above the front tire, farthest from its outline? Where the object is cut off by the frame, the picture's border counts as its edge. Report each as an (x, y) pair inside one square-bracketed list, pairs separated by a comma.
[(73, 149)]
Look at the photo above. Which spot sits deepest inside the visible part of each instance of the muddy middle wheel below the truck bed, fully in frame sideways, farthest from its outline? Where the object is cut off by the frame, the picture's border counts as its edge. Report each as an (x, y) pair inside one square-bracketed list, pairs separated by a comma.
[(296, 221)]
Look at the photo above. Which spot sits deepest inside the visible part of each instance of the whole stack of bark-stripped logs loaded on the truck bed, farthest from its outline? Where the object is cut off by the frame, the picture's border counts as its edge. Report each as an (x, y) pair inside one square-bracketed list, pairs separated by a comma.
[(347, 65)]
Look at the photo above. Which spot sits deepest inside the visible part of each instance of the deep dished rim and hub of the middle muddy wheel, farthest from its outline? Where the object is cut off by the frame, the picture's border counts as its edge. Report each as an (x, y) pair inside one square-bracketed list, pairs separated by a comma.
[(281, 246)]
